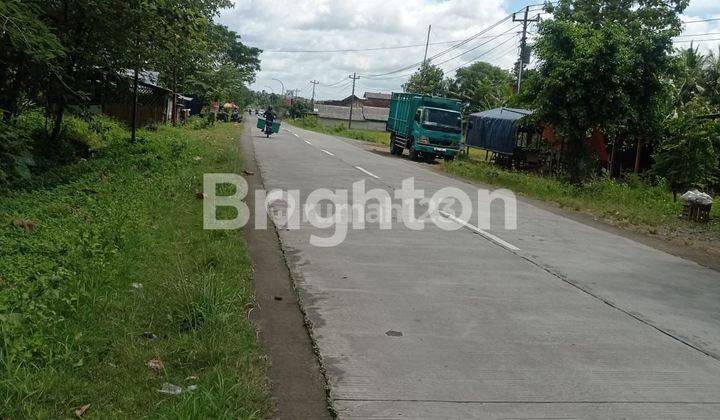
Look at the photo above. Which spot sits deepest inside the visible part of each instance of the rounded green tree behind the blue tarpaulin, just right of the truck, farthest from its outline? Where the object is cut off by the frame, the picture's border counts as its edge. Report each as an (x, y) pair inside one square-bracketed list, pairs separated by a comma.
[(481, 86)]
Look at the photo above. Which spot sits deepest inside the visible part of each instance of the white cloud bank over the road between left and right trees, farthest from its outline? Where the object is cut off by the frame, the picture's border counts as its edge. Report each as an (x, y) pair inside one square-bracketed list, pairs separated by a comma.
[(342, 24)]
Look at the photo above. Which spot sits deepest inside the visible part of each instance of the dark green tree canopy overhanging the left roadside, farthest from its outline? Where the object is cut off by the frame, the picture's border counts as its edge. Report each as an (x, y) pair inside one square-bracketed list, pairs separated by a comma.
[(57, 54)]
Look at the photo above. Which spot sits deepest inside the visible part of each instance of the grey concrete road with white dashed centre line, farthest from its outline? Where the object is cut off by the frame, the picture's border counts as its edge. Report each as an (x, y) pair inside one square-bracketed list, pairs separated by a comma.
[(553, 320)]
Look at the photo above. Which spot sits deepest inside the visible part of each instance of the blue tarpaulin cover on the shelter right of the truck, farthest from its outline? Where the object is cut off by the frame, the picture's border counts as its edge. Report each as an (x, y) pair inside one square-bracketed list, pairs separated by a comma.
[(495, 129)]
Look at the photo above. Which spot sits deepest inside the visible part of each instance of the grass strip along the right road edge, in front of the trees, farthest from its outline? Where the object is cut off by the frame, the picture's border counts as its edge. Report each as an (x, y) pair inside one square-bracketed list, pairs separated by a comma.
[(630, 203)]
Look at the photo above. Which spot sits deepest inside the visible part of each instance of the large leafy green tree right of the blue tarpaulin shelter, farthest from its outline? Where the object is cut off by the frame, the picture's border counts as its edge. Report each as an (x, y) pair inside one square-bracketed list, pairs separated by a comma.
[(605, 63)]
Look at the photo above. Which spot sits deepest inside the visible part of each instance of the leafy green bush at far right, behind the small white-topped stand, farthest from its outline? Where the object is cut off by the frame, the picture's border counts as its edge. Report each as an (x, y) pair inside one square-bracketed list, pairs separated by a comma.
[(686, 157)]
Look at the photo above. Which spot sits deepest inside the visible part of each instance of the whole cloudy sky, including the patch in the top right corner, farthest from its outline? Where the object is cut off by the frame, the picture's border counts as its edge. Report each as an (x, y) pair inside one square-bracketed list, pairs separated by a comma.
[(279, 26)]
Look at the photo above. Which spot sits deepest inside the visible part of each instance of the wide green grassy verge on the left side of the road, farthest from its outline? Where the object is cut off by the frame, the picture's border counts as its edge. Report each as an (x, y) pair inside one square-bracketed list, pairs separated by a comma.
[(105, 266)]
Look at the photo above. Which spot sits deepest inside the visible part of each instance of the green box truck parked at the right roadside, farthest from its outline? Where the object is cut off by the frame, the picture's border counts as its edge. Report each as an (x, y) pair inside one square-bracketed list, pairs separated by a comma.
[(428, 126)]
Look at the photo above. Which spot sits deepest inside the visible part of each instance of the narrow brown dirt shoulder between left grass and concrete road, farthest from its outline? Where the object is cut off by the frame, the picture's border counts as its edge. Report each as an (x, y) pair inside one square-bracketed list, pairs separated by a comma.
[(298, 386)]
